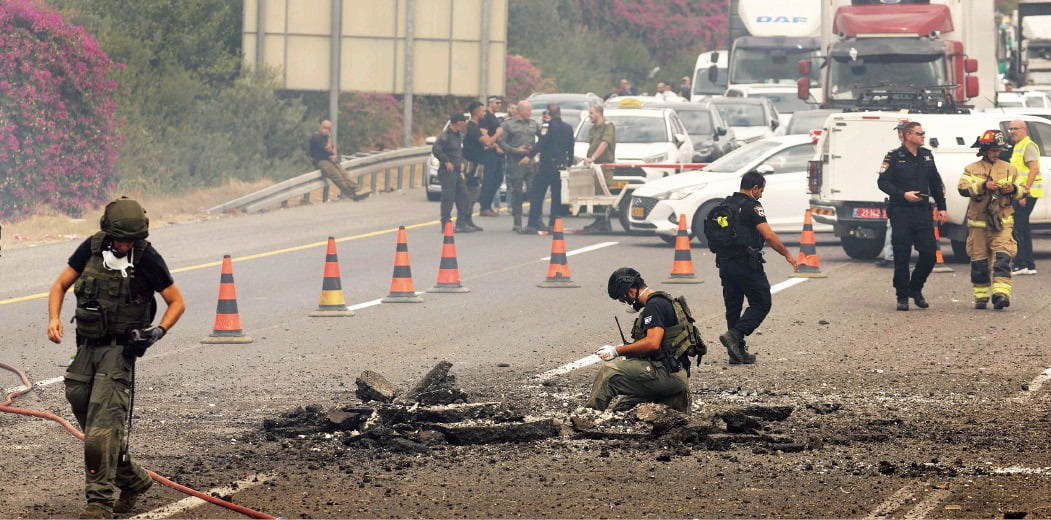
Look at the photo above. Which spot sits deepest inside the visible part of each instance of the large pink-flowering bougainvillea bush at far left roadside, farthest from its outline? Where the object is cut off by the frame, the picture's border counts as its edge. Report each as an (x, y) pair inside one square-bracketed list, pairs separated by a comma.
[(58, 132)]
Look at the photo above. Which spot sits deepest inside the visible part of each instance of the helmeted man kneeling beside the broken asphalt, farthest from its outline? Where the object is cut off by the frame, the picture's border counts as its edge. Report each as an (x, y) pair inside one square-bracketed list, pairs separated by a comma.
[(656, 366)]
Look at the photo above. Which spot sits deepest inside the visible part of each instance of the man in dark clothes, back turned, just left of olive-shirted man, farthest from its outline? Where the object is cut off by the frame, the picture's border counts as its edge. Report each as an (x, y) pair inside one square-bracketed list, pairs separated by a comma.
[(557, 153)]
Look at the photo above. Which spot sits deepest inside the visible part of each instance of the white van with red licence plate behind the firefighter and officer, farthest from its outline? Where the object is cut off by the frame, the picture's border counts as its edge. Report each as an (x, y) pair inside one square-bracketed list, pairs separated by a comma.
[(842, 179)]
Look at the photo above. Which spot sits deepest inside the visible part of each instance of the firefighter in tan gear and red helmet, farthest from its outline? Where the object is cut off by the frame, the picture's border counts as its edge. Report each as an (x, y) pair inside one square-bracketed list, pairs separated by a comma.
[(992, 184)]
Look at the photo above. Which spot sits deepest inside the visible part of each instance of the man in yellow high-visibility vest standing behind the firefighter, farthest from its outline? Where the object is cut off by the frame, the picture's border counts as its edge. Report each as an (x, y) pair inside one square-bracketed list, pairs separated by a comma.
[(1027, 159)]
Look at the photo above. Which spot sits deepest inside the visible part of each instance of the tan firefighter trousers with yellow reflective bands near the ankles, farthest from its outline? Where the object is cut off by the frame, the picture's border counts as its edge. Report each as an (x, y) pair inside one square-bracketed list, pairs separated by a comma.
[(992, 252)]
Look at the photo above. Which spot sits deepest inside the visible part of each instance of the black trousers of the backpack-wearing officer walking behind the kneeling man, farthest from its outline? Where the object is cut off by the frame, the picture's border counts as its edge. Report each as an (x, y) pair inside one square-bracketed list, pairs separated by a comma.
[(740, 281)]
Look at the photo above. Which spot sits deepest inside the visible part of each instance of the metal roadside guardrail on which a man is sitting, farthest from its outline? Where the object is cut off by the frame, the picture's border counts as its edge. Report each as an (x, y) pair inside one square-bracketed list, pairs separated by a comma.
[(386, 172)]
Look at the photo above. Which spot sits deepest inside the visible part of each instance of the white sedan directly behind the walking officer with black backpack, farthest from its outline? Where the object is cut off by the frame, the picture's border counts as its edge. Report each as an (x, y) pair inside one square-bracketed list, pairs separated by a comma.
[(656, 207)]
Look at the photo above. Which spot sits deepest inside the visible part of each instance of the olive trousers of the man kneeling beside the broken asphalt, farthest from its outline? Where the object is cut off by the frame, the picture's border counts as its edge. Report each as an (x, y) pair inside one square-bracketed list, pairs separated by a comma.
[(640, 381)]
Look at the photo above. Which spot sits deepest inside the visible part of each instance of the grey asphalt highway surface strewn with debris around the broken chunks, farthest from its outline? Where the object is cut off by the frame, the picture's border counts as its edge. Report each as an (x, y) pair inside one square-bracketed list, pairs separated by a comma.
[(943, 412)]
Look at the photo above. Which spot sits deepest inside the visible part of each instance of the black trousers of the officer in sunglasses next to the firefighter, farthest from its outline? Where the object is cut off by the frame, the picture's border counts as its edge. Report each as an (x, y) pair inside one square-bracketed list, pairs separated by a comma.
[(912, 226)]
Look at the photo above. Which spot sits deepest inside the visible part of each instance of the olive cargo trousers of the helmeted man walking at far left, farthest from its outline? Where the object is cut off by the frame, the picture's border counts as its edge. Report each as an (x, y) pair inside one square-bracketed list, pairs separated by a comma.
[(99, 388)]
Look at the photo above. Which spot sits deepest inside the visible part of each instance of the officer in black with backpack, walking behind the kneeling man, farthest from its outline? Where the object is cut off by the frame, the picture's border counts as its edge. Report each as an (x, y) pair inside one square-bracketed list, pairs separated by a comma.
[(740, 262)]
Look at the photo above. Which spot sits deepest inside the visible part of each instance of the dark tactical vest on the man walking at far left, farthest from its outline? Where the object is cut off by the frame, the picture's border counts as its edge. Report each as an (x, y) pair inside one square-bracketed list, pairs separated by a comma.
[(106, 304)]
